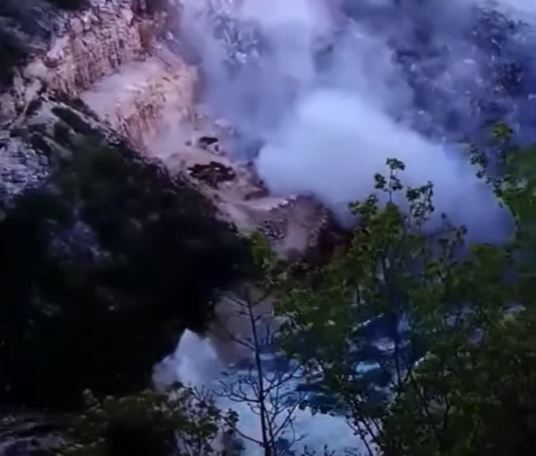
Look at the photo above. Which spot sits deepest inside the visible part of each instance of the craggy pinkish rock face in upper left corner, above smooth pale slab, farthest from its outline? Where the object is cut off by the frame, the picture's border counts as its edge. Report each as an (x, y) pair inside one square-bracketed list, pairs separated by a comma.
[(76, 50)]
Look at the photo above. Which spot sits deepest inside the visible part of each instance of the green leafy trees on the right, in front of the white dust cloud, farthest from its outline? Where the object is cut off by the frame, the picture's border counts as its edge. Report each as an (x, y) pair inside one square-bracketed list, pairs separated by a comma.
[(460, 359)]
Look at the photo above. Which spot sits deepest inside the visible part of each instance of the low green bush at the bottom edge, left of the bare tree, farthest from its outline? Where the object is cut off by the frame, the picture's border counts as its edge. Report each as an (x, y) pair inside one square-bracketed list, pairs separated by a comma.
[(183, 423)]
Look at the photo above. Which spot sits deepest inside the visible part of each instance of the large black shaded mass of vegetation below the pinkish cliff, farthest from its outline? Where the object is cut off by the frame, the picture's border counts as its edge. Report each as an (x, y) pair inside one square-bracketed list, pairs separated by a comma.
[(102, 268)]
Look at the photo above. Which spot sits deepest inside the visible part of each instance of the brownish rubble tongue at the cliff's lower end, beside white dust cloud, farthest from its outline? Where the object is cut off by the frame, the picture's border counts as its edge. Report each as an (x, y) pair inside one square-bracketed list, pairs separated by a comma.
[(294, 225)]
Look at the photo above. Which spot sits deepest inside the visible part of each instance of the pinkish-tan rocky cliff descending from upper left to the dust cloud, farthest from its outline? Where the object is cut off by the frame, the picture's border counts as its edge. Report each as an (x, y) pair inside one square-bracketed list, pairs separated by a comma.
[(111, 62)]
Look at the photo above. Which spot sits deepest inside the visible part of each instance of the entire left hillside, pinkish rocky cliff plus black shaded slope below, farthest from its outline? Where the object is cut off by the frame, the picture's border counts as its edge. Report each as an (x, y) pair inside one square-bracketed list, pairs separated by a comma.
[(109, 73)]
